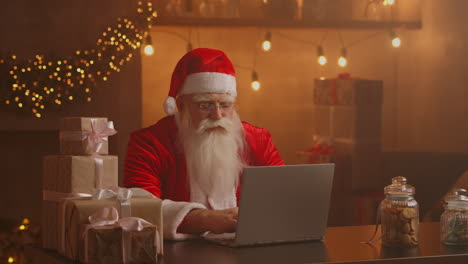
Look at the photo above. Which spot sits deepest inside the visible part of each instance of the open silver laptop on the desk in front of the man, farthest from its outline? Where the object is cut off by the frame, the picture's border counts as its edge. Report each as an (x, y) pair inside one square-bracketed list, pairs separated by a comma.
[(281, 204)]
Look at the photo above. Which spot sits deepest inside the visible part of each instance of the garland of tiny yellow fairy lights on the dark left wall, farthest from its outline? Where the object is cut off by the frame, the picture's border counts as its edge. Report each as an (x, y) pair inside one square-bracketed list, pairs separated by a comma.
[(33, 86)]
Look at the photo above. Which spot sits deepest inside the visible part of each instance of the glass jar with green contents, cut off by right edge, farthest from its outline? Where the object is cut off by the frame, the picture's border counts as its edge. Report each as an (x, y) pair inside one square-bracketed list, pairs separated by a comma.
[(454, 220)]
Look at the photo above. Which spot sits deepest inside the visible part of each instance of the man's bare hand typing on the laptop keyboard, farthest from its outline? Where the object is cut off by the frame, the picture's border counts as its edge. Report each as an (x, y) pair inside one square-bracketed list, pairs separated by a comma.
[(216, 221)]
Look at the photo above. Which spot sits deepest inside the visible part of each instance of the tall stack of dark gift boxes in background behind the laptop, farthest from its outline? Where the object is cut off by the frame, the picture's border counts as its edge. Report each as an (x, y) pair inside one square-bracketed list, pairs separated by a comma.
[(348, 111)]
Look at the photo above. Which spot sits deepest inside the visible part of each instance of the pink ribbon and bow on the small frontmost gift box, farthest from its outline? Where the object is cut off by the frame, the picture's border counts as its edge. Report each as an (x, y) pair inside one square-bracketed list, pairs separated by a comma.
[(109, 216)]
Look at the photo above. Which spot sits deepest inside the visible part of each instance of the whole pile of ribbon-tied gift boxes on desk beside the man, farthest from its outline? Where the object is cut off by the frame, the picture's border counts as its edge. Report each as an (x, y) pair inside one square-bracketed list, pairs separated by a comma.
[(83, 181)]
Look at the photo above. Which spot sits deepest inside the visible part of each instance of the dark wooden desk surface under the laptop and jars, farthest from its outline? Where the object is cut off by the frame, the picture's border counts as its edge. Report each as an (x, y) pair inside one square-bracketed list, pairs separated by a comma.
[(342, 244)]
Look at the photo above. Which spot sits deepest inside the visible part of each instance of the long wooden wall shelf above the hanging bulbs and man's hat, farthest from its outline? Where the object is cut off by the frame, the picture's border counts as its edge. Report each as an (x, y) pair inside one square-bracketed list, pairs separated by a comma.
[(245, 22)]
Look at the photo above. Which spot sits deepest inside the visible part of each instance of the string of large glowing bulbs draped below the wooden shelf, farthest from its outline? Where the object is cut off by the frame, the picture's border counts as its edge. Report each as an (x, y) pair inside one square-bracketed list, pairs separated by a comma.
[(266, 45)]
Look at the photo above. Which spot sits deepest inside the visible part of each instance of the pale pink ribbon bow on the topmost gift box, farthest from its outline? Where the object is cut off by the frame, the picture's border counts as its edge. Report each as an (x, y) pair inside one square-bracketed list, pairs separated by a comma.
[(98, 134)]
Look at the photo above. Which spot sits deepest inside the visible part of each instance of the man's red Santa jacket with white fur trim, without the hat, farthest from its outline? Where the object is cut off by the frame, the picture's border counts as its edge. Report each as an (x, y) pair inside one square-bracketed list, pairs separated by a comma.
[(156, 163)]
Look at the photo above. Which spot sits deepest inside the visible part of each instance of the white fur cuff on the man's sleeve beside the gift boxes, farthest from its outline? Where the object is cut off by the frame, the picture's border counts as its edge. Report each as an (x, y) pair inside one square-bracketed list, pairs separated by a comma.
[(173, 214)]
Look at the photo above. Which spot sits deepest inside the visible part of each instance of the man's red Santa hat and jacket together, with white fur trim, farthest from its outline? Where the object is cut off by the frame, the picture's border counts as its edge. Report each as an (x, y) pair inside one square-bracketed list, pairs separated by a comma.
[(155, 160)]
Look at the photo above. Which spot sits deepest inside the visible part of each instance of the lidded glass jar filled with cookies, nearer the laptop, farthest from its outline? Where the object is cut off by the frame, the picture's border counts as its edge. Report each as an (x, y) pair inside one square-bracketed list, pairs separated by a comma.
[(399, 215)]
